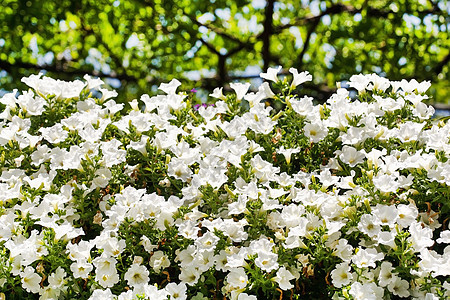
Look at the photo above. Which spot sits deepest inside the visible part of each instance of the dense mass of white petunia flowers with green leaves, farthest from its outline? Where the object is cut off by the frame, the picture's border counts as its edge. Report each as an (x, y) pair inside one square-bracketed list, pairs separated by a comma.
[(345, 200)]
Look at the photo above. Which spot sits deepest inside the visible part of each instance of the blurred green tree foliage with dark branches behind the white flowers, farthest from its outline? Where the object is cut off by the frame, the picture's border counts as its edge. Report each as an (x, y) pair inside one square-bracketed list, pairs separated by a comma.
[(135, 45)]
